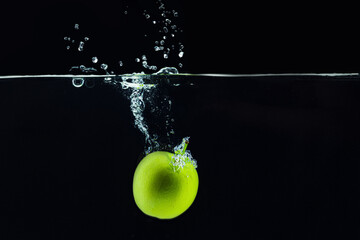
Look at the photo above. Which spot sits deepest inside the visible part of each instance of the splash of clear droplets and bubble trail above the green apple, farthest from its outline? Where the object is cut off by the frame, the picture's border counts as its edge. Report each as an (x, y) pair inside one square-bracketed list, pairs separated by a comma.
[(138, 92)]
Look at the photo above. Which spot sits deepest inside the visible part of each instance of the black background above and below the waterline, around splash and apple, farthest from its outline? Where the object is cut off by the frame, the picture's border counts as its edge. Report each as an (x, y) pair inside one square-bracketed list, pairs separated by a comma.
[(278, 157)]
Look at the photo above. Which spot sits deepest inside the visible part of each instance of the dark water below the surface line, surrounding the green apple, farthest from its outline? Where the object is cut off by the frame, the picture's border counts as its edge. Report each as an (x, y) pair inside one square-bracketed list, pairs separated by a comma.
[(277, 158)]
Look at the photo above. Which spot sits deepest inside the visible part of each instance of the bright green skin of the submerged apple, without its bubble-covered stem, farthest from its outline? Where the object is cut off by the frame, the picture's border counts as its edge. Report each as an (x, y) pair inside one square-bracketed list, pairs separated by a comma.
[(161, 192)]
